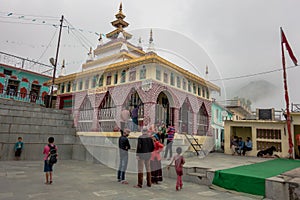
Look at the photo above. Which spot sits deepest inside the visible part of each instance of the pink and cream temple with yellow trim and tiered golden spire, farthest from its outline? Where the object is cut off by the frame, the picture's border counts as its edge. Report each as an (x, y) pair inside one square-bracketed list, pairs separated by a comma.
[(119, 74)]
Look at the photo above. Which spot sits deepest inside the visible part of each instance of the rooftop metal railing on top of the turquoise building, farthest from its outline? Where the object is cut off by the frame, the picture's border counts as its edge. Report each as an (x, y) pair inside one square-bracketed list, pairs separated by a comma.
[(26, 64)]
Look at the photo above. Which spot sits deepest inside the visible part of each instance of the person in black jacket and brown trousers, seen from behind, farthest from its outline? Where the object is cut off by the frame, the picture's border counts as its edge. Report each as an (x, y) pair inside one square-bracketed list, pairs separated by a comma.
[(145, 146)]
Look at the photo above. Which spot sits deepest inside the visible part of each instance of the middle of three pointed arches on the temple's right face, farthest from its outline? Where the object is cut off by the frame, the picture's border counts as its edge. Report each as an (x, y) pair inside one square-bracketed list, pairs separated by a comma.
[(186, 118)]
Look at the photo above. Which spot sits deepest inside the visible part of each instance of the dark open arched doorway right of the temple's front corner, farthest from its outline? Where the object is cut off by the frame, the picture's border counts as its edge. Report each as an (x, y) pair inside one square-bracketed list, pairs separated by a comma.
[(163, 111)]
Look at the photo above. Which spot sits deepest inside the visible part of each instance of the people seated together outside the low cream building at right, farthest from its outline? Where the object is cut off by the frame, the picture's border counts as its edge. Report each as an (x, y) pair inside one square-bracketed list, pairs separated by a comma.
[(240, 147)]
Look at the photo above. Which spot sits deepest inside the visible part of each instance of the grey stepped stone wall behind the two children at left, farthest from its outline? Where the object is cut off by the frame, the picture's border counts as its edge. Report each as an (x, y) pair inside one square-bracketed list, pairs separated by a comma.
[(35, 124)]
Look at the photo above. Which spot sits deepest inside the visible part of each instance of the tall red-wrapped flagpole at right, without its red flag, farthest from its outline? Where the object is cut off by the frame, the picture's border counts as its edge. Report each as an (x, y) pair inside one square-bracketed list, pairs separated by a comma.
[(288, 116)]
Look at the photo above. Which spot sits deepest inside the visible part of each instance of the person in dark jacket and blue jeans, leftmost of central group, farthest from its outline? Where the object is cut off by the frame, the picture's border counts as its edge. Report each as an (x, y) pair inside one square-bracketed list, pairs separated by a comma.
[(124, 146)]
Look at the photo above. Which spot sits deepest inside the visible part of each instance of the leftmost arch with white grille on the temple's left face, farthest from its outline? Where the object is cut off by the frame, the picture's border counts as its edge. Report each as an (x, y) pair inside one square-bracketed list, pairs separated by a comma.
[(85, 116)]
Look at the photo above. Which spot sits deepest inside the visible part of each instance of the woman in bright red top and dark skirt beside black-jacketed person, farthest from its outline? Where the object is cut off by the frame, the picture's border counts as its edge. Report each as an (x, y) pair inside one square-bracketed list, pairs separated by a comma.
[(155, 161)]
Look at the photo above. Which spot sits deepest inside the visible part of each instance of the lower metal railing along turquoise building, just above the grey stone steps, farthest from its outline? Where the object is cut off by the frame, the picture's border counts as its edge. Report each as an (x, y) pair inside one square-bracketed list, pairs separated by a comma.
[(32, 98)]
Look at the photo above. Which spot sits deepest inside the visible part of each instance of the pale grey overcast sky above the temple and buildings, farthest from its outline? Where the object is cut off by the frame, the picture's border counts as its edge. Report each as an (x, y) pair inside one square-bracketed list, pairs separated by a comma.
[(234, 38)]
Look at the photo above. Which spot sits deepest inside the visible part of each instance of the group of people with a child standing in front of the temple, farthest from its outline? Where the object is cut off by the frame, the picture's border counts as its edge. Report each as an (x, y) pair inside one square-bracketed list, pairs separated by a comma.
[(148, 154)]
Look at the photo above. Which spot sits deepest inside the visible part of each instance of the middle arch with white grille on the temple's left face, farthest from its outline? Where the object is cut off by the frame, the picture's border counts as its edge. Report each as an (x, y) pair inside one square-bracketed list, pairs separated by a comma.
[(106, 114)]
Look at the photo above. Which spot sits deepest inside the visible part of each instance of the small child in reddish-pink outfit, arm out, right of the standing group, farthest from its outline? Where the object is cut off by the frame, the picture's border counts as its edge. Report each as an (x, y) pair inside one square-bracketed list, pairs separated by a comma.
[(179, 162)]
